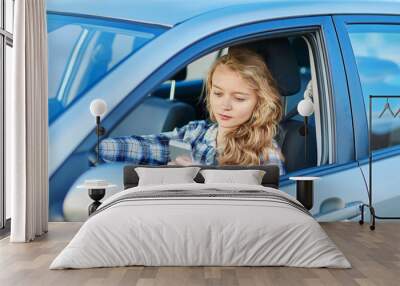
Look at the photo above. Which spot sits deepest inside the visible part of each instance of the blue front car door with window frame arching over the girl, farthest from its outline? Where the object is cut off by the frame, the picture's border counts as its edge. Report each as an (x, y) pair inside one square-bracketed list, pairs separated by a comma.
[(341, 188)]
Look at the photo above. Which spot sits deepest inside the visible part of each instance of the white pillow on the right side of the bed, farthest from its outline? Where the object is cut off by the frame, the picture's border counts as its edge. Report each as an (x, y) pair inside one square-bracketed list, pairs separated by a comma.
[(249, 177)]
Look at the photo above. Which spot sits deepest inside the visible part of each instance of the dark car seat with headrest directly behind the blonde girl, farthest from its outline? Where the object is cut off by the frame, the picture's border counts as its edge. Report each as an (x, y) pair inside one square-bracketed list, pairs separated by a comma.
[(281, 60)]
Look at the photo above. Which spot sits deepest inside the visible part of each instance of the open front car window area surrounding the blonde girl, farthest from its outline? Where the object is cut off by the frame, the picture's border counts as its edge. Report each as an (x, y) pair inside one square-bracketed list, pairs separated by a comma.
[(184, 94)]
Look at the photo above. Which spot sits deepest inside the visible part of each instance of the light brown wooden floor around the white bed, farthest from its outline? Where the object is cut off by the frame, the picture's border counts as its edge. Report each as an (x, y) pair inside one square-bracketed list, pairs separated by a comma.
[(375, 257)]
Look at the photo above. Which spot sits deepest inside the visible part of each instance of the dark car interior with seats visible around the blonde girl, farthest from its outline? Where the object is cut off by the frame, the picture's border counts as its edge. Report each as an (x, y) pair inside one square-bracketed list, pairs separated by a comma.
[(178, 101)]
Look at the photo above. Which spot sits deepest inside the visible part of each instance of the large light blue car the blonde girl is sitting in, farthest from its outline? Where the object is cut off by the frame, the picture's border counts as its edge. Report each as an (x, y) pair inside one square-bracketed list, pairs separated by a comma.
[(148, 61)]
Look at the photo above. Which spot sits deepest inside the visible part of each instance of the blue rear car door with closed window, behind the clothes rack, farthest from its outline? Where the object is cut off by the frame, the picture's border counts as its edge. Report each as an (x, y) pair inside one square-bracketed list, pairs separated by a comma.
[(370, 47)]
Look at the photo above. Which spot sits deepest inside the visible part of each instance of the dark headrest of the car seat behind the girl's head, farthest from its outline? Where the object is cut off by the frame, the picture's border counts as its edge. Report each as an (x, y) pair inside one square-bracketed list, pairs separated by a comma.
[(281, 60)]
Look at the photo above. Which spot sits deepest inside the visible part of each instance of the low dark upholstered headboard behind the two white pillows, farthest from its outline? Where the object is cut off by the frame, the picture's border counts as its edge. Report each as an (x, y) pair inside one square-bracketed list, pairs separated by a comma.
[(270, 179)]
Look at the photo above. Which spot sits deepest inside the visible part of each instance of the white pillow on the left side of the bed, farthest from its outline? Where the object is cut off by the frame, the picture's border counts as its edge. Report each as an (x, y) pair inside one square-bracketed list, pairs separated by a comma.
[(163, 176)]
